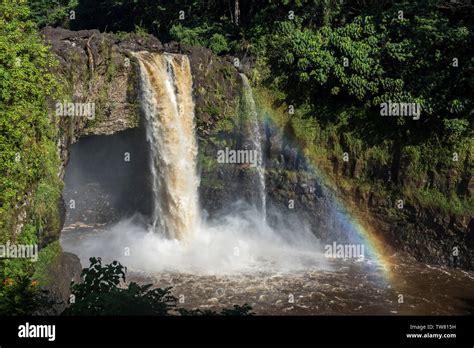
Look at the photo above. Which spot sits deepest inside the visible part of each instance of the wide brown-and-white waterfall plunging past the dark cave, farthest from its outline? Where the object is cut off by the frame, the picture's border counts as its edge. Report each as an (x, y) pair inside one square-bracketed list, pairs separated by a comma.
[(166, 96)]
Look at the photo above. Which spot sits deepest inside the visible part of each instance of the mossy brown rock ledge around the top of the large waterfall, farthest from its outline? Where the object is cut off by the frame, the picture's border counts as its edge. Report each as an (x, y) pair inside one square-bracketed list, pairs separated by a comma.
[(98, 68)]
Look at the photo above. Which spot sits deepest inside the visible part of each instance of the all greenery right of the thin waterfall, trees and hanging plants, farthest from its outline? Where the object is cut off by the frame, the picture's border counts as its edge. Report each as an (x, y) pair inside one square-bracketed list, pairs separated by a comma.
[(337, 72)]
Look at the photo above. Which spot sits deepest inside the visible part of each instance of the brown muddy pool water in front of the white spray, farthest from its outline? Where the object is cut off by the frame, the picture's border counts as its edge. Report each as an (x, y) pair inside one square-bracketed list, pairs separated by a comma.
[(345, 287)]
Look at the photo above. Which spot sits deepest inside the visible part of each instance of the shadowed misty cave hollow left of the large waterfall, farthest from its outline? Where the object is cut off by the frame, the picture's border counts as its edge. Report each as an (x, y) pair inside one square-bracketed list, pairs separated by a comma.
[(107, 178)]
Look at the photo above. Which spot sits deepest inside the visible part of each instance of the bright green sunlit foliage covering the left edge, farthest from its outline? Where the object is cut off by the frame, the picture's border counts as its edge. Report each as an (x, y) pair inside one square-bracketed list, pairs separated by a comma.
[(29, 185)]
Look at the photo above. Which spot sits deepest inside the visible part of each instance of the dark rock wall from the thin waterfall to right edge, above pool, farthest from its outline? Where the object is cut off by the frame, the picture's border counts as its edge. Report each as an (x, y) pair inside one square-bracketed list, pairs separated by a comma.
[(430, 236)]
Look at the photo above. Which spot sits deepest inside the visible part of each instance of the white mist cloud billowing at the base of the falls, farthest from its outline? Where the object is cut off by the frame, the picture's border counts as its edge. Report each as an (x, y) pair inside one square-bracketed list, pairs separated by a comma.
[(238, 241)]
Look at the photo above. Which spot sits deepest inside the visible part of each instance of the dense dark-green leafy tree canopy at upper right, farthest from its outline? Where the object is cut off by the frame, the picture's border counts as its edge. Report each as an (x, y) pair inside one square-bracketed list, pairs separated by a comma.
[(406, 53)]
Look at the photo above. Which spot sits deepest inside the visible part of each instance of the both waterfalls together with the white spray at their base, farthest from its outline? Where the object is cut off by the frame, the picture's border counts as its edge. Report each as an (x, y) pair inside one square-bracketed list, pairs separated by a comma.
[(238, 240)]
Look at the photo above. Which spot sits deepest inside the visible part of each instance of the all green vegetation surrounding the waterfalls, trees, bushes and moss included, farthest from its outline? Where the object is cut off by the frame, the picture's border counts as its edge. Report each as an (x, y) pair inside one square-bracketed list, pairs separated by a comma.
[(334, 62)]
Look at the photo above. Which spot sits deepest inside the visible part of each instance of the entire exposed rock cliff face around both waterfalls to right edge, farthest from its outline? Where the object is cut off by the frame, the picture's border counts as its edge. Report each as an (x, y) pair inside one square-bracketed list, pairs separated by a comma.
[(98, 68)]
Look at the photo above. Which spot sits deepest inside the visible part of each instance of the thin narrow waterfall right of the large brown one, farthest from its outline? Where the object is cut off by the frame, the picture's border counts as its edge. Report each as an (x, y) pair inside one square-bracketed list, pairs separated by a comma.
[(256, 139)]
